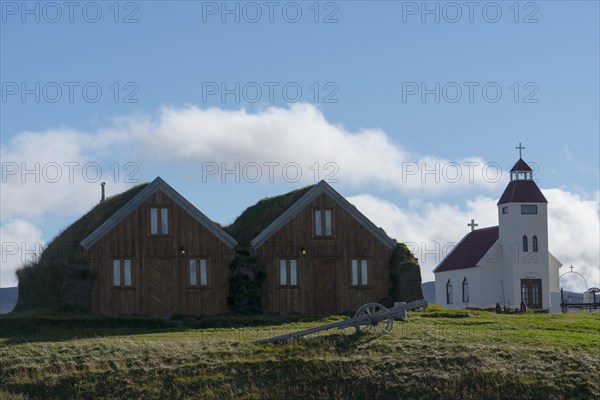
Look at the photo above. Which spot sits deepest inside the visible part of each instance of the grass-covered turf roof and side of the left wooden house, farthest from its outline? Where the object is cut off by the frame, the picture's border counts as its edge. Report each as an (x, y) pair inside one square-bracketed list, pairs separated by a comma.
[(40, 281)]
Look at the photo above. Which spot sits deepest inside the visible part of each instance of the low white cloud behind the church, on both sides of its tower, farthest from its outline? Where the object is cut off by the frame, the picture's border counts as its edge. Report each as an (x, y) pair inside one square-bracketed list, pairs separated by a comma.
[(432, 229)]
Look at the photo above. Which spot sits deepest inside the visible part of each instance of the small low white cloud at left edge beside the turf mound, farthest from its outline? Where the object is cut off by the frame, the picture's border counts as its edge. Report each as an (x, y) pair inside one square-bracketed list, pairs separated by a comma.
[(21, 242)]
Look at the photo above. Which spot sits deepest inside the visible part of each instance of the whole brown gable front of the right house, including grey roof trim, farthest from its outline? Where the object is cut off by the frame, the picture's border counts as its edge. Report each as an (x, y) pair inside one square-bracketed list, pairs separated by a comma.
[(323, 256)]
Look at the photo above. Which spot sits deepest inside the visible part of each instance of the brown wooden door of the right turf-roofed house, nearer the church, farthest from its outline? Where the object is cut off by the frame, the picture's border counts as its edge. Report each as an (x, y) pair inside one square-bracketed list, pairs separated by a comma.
[(324, 286)]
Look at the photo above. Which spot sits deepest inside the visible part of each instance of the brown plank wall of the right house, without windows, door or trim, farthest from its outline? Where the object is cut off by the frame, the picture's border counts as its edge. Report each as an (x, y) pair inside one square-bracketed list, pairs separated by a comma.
[(350, 240)]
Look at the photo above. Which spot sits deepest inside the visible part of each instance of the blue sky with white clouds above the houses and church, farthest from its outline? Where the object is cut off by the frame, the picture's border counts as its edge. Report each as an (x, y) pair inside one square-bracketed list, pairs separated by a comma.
[(412, 110)]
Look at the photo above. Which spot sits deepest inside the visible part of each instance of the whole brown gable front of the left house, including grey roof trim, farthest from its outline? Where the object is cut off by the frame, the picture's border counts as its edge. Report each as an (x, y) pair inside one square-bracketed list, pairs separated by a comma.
[(159, 255)]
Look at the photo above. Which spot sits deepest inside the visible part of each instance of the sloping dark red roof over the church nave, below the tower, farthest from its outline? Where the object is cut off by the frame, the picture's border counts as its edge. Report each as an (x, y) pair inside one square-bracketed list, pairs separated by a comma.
[(469, 250)]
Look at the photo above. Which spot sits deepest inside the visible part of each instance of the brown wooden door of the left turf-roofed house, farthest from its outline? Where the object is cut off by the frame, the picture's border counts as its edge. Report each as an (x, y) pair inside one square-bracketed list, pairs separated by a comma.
[(159, 283)]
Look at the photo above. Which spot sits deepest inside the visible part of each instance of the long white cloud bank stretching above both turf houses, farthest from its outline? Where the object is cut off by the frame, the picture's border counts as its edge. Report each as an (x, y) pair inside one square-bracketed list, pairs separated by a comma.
[(66, 162)]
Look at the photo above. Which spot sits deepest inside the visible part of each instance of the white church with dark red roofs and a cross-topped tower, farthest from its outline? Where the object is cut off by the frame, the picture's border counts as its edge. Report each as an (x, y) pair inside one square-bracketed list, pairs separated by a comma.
[(509, 264)]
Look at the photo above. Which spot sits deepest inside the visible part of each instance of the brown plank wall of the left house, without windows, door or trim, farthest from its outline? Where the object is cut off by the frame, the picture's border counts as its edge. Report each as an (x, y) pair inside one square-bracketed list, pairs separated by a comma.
[(131, 240)]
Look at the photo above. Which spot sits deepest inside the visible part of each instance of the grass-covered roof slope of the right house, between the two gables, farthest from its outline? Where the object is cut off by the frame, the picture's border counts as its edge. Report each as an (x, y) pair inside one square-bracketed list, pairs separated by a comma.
[(259, 216)]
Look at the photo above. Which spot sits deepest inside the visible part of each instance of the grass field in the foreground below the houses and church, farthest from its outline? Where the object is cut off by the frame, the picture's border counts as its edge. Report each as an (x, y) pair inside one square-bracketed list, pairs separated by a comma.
[(435, 354)]
